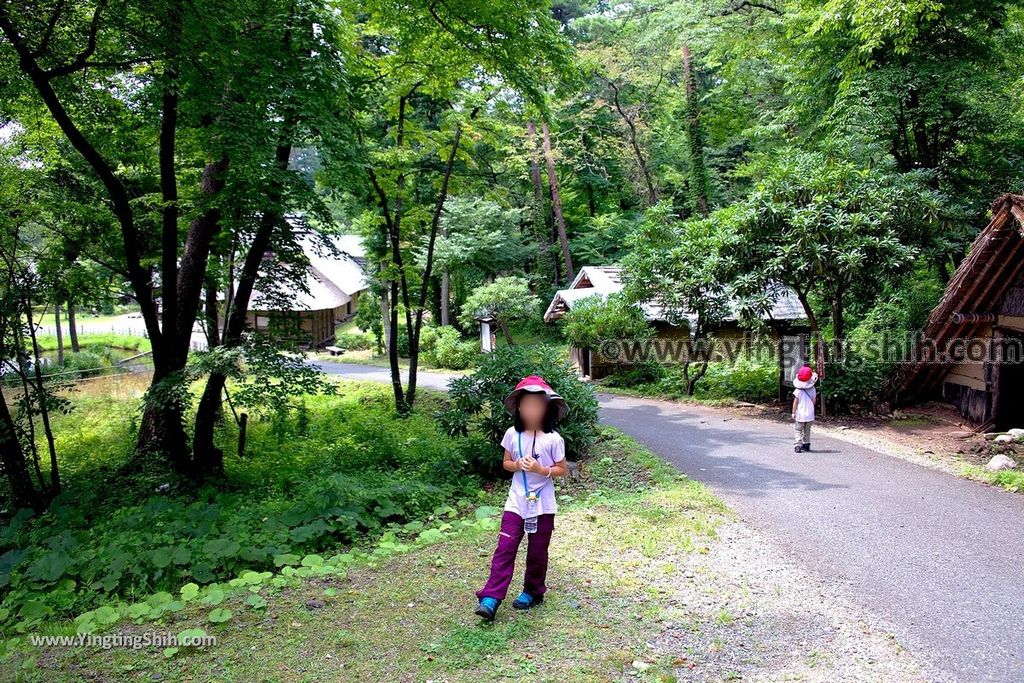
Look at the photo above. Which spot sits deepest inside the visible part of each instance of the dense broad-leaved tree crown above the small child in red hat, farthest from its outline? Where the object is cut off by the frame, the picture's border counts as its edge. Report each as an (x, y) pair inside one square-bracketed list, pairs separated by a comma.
[(833, 232)]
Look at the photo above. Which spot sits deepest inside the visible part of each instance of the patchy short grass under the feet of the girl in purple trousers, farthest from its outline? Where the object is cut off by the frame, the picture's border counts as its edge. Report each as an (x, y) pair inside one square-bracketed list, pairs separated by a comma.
[(410, 617)]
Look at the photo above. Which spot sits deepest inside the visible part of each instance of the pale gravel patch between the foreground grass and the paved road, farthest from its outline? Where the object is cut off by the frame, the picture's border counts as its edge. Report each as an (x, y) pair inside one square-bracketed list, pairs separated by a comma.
[(745, 612)]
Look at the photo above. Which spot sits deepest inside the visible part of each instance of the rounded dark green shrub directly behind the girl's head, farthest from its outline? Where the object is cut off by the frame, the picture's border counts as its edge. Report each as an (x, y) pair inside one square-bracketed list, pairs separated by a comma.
[(477, 402)]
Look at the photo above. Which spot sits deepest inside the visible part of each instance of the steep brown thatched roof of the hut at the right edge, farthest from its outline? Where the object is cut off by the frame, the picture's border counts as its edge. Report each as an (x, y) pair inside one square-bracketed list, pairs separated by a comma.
[(983, 281)]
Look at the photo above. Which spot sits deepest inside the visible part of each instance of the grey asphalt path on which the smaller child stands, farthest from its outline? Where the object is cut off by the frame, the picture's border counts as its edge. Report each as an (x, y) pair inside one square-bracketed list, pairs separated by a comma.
[(940, 559)]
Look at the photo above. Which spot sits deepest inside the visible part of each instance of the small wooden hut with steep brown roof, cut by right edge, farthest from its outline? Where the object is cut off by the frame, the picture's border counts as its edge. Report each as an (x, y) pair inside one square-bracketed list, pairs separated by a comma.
[(970, 351)]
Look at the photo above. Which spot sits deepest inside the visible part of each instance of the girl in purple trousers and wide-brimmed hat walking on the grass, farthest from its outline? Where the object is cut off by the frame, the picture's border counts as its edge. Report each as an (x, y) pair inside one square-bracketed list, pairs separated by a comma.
[(535, 454)]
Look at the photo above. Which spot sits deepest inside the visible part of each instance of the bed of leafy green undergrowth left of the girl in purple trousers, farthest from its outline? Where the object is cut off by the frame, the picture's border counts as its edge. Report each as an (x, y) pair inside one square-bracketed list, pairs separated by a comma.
[(349, 472)]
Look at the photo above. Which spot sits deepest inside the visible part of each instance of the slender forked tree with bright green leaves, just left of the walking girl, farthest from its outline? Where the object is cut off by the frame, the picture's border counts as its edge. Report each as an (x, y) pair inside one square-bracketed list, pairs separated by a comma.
[(428, 72)]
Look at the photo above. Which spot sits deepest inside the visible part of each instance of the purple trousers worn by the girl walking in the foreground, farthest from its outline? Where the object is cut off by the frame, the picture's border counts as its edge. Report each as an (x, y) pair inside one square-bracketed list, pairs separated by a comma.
[(503, 564)]
